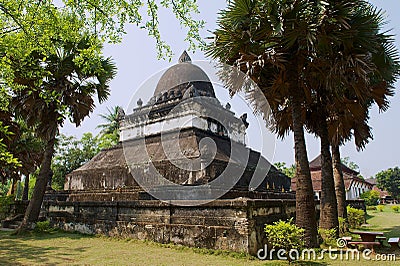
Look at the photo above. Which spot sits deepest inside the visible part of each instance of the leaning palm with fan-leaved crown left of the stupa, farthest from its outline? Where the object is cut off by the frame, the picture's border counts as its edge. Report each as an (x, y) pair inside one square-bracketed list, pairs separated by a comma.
[(63, 87)]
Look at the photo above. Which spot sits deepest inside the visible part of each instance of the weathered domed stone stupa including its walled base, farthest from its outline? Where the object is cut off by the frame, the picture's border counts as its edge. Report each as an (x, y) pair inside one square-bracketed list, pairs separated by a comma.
[(186, 136)]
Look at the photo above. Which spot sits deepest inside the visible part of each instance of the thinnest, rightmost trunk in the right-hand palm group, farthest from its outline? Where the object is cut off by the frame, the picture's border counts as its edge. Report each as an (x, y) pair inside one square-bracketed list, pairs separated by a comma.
[(339, 182)]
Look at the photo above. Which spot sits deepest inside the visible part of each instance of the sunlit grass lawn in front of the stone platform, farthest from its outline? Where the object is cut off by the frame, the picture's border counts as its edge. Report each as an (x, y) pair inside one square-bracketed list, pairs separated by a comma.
[(59, 248)]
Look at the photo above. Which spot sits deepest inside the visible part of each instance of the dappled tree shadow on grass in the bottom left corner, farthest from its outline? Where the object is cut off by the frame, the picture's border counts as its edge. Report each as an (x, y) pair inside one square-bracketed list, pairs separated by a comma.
[(15, 248)]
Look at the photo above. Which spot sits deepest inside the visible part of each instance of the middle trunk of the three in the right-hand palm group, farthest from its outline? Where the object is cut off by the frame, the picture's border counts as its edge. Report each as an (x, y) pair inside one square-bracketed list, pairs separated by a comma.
[(329, 212)]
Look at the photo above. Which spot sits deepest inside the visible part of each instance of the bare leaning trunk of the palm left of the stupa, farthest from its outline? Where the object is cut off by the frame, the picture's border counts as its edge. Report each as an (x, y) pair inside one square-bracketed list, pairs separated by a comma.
[(33, 210)]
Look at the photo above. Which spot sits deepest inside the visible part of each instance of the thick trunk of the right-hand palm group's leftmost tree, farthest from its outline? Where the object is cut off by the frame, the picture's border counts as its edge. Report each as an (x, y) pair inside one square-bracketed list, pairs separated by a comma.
[(305, 205)]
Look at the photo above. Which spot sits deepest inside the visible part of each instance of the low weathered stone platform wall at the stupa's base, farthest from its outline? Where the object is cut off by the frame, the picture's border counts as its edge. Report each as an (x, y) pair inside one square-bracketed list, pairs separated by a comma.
[(228, 224)]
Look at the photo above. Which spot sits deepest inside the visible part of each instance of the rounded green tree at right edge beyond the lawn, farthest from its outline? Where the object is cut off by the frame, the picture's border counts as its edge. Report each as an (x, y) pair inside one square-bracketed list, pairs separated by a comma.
[(389, 180)]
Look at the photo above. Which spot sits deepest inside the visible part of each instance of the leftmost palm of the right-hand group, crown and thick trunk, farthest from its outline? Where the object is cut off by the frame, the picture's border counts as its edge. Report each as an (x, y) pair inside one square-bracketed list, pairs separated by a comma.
[(270, 41)]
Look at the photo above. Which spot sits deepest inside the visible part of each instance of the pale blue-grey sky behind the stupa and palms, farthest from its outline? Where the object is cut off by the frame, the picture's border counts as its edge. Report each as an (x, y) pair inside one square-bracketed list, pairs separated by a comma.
[(136, 59)]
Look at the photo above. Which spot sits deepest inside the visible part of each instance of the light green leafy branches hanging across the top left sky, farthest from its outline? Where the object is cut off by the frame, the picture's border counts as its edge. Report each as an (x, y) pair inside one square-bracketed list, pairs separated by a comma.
[(108, 20)]
